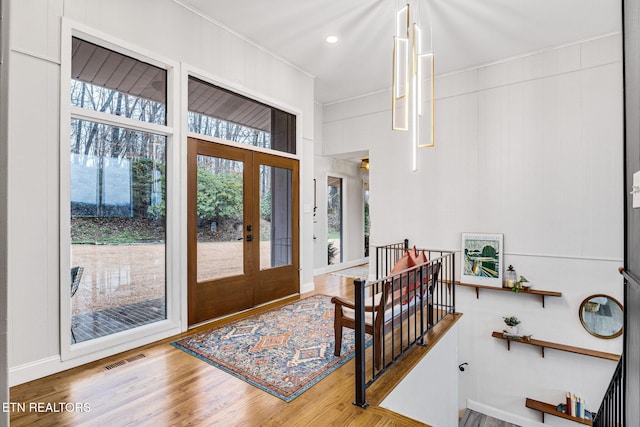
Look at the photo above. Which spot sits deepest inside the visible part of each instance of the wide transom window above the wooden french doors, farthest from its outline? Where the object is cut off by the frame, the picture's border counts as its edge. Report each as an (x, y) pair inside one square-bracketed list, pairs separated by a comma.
[(217, 112)]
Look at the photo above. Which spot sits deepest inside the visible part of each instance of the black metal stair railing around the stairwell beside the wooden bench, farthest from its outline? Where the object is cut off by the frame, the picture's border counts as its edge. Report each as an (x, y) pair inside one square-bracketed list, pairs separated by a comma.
[(421, 296)]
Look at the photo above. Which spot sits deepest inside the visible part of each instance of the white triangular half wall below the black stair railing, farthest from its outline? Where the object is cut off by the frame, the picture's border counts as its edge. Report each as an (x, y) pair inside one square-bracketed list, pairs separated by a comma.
[(430, 393)]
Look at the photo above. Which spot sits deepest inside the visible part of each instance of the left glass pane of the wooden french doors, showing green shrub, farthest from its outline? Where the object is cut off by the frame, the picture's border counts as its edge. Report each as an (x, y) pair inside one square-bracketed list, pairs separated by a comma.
[(220, 212)]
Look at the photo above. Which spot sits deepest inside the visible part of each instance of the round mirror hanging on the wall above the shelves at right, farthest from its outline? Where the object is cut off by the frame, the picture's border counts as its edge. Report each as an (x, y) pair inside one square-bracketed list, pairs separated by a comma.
[(602, 316)]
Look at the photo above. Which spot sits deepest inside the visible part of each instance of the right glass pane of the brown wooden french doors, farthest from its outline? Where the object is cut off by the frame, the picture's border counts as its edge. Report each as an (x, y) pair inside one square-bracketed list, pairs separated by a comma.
[(275, 216)]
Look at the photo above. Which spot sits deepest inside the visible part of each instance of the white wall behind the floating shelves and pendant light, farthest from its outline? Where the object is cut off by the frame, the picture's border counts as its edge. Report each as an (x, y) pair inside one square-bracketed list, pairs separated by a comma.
[(532, 148)]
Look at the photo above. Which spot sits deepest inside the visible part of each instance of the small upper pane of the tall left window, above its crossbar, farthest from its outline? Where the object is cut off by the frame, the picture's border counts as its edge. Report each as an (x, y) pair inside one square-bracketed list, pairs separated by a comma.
[(109, 82)]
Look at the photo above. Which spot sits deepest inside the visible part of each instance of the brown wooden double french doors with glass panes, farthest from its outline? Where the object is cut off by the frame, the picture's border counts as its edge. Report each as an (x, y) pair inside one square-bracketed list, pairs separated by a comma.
[(243, 209)]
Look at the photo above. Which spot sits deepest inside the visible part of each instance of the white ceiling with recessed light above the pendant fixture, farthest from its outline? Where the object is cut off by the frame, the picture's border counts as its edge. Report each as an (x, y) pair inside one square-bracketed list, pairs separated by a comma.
[(462, 33)]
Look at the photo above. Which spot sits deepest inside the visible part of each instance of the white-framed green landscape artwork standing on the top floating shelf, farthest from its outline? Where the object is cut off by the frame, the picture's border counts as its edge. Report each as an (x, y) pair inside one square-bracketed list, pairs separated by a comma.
[(482, 259)]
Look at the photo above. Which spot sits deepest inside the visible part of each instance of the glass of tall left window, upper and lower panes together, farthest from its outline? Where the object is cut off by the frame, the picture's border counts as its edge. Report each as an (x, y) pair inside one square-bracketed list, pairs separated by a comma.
[(118, 192)]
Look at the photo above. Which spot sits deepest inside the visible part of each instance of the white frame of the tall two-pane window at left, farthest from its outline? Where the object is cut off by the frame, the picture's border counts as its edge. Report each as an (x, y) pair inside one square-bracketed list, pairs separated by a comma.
[(97, 348)]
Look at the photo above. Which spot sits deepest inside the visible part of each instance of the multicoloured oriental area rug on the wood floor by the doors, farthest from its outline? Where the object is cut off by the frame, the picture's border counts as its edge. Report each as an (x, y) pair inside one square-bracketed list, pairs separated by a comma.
[(283, 351)]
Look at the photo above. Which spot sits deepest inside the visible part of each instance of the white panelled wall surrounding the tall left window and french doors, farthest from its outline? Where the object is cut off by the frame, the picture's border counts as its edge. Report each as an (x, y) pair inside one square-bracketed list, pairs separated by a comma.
[(159, 27)]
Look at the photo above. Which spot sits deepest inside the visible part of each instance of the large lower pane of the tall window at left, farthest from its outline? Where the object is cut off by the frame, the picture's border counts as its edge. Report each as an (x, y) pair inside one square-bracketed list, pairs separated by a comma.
[(118, 228)]
